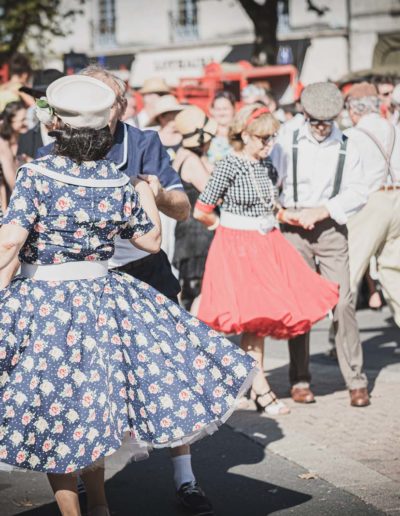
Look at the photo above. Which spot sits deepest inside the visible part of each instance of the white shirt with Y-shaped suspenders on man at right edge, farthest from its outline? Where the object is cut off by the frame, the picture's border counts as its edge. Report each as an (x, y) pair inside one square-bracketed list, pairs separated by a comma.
[(374, 164)]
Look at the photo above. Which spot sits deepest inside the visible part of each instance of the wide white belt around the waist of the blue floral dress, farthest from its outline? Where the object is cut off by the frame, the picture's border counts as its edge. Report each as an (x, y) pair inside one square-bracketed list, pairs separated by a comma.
[(67, 271)]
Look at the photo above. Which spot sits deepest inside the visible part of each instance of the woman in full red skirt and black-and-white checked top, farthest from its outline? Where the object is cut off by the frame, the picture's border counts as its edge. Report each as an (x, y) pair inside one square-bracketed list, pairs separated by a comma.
[(255, 282)]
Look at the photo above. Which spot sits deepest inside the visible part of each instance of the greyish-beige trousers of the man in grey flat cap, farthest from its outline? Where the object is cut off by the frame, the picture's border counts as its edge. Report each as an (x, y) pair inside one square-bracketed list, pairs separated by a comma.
[(328, 242)]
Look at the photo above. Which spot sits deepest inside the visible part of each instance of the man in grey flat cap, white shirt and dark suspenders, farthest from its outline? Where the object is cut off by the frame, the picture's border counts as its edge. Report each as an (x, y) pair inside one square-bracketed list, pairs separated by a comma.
[(322, 185)]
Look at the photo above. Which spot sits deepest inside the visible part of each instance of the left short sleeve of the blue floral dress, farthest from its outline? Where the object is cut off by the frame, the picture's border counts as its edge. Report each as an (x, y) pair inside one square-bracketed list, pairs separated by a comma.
[(23, 209)]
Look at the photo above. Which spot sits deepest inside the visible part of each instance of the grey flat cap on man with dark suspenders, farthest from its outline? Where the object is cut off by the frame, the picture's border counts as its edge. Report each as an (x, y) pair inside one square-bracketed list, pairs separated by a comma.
[(322, 100)]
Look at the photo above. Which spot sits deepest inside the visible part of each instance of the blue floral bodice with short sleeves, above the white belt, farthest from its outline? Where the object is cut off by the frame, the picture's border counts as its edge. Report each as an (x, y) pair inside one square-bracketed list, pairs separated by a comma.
[(69, 223)]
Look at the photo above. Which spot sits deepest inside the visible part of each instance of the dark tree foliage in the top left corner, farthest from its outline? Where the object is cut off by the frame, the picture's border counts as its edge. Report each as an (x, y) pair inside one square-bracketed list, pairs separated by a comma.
[(20, 18)]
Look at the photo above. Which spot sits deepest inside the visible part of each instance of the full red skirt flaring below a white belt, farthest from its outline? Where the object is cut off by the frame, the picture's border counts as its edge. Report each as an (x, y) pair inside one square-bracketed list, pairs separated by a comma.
[(261, 284)]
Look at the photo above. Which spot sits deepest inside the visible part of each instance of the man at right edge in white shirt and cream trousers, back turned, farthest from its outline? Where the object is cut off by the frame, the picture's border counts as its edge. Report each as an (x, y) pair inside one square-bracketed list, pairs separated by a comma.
[(375, 230)]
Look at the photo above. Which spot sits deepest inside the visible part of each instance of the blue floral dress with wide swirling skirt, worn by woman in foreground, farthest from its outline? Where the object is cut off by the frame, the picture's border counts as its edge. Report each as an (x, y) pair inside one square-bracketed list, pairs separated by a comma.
[(84, 362)]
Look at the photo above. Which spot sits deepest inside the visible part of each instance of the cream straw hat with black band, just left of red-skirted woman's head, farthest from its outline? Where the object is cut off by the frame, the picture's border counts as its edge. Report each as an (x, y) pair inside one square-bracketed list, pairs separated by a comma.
[(195, 127)]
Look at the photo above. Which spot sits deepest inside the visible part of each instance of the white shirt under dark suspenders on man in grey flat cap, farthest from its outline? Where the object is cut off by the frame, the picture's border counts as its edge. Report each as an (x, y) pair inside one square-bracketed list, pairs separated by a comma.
[(316, 171)]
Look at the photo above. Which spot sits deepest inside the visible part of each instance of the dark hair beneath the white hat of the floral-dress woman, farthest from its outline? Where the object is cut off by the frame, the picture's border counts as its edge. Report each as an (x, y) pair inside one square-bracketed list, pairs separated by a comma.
[(82, 144)]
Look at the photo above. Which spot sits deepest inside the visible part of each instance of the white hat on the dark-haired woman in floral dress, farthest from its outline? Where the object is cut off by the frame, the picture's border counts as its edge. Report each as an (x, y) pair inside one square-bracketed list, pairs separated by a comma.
[(81, 101)]
